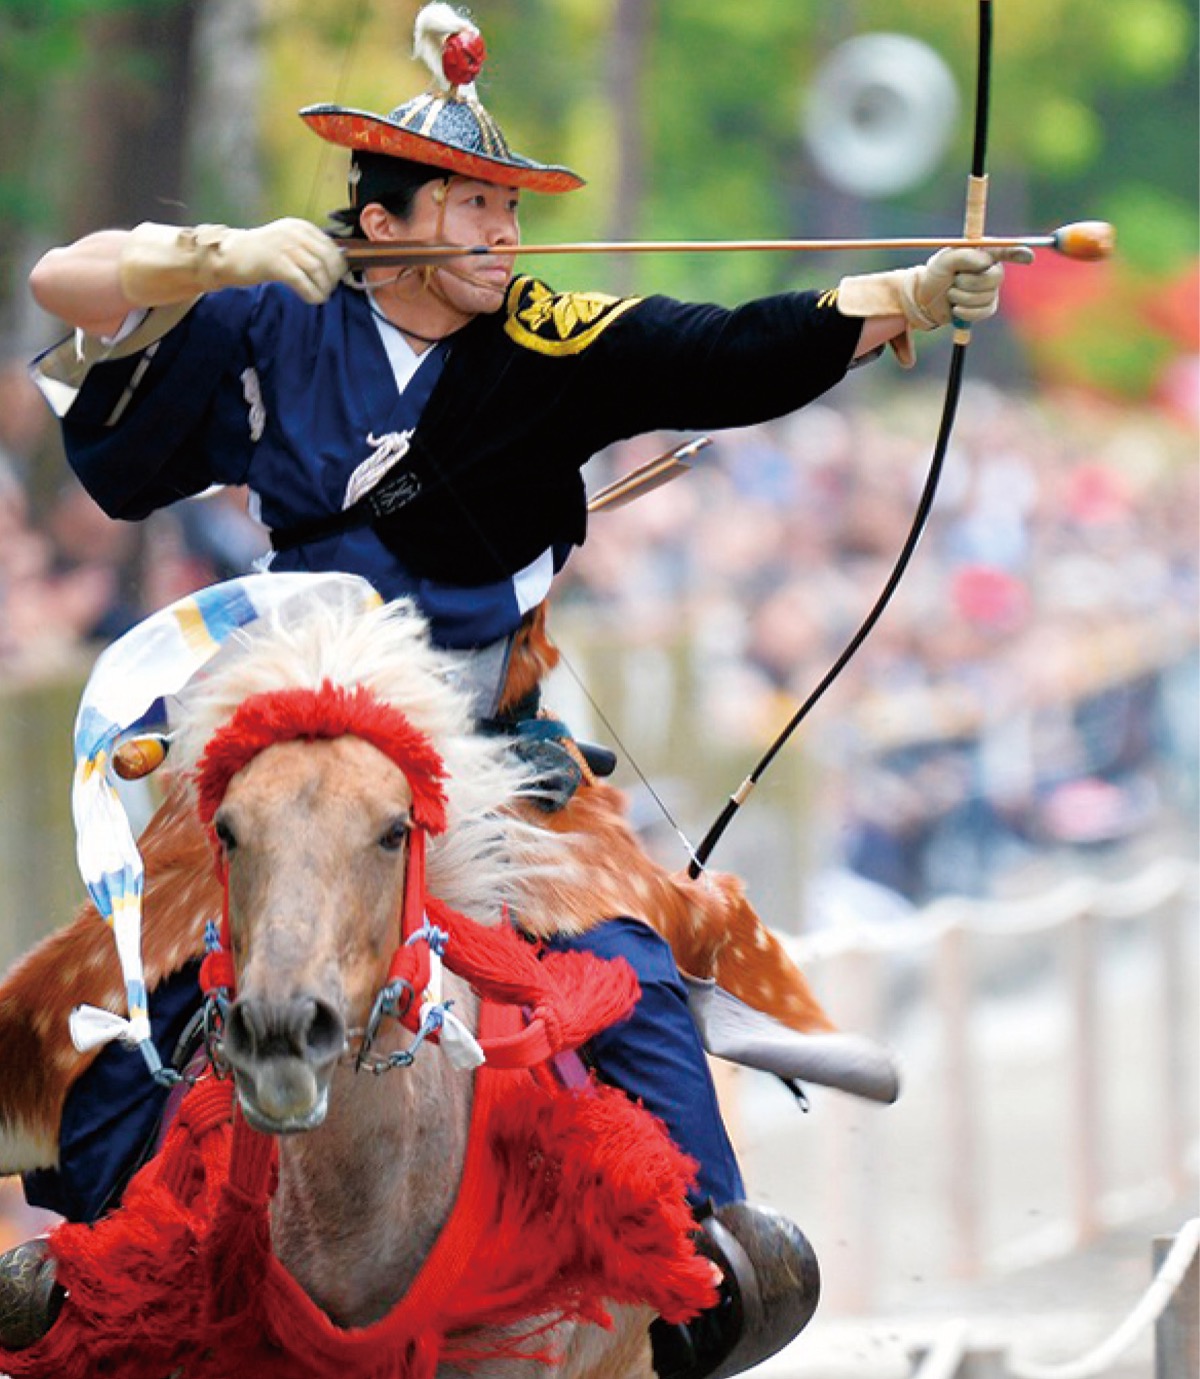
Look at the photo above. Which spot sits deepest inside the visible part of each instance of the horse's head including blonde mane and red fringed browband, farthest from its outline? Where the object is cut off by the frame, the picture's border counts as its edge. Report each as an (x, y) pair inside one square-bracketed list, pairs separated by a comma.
[(326, 759)]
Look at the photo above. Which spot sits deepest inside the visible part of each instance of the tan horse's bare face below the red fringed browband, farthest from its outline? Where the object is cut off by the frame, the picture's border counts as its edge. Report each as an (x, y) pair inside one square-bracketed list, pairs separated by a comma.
[(312, 838)]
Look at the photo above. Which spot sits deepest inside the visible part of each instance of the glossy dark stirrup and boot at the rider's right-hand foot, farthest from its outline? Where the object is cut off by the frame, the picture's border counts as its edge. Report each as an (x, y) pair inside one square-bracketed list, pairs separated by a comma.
[(769, 1294)]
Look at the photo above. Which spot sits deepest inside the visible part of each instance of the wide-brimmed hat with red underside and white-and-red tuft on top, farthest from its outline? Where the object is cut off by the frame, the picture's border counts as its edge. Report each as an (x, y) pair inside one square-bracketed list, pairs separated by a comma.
[(448, 128)]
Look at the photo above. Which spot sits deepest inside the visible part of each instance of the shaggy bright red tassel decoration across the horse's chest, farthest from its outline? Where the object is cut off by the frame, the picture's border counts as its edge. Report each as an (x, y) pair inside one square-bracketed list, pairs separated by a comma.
[(568, 1199)]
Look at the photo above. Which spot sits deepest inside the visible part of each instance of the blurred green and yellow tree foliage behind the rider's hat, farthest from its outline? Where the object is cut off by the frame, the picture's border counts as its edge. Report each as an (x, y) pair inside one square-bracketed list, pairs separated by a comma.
[(1093, 117)]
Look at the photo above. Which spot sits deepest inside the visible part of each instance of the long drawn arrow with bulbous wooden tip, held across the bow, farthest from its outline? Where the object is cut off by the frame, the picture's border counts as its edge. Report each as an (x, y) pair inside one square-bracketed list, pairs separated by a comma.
[(1085, 241)]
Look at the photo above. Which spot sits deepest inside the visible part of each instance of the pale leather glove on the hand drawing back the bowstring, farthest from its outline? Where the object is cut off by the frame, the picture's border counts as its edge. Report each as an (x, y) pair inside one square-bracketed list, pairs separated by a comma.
[(163, 264)]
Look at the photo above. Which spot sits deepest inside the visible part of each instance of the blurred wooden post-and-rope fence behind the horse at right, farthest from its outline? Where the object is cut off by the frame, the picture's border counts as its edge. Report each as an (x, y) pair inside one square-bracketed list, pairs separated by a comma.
[(1052, 1074)]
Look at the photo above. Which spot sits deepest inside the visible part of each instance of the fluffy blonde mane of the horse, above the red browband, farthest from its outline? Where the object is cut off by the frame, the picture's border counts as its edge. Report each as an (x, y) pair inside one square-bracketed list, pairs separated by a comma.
[(489, 858)]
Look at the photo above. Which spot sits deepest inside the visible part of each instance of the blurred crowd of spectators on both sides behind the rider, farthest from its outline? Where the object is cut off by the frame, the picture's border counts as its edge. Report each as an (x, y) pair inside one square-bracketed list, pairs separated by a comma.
[(1034, 681)]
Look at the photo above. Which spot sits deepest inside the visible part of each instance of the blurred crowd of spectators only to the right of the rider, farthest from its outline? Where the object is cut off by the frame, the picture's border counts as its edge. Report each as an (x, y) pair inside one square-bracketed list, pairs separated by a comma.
[(1021, 689)]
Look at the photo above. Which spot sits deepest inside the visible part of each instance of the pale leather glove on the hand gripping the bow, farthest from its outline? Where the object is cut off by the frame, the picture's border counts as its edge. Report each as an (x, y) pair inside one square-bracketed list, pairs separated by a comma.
[(961, 286)]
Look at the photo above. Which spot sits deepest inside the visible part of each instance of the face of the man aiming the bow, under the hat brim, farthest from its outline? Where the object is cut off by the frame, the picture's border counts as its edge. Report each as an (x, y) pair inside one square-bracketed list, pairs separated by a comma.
[(474, 213)]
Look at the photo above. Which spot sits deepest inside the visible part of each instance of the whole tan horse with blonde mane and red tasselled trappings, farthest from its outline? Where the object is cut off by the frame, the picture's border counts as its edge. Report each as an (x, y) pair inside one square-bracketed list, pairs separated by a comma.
[(369, 847)]
